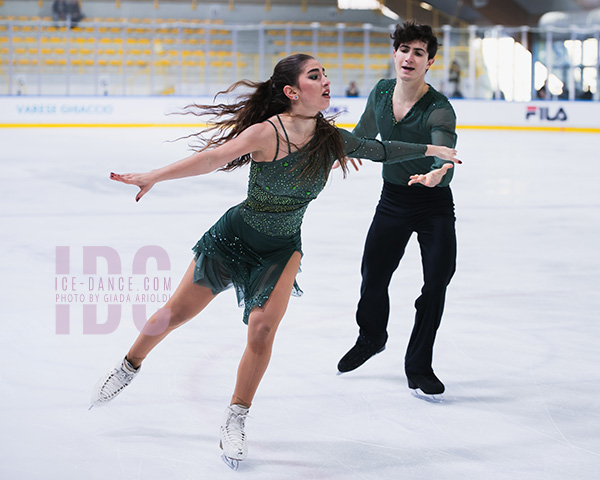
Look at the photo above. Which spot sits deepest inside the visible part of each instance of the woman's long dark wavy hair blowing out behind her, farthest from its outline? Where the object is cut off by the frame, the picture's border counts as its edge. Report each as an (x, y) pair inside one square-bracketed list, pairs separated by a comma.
[(265, 100)]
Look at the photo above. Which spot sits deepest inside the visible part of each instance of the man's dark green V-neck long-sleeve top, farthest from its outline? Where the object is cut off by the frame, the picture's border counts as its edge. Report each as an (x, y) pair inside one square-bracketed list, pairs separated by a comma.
[(431, 121)]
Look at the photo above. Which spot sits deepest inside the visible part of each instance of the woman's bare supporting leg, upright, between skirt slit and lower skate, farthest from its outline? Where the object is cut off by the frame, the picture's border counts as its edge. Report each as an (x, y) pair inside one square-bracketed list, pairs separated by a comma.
[(262, 326)]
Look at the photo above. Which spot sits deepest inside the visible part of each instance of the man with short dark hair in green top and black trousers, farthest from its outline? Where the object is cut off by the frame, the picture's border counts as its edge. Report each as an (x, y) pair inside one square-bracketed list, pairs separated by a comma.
[(407, 108)]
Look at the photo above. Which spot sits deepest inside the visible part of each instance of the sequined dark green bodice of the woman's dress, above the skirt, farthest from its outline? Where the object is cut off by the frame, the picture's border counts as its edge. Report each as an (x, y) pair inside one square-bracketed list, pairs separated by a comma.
[(277, 198)]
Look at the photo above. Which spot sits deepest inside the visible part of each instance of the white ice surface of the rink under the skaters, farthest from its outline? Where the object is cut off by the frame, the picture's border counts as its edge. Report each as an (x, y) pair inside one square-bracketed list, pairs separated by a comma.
[(517, 350)]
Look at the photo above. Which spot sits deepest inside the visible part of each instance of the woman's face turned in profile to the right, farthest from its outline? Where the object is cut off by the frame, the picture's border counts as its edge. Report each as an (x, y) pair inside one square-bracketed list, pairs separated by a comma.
[(313, 90)]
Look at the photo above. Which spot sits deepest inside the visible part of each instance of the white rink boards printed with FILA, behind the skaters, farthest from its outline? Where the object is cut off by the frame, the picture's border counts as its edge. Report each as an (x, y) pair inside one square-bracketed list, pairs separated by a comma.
[(152, 111)]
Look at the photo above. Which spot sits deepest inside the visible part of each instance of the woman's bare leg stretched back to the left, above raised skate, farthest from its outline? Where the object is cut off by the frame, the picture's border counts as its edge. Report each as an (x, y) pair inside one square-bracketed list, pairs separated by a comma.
[(188, 300)]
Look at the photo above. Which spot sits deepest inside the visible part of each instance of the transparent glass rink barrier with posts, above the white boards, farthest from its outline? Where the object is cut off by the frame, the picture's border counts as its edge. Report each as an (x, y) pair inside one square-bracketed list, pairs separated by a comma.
[(112, 57)]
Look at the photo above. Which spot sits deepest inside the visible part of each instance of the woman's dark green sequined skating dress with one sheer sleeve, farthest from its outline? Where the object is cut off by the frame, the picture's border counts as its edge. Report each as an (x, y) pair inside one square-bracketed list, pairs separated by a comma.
[(250, 245)]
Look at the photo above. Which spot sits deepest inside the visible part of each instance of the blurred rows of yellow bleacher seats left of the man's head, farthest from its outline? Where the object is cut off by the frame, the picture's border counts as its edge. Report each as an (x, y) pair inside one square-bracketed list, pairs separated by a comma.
[(175, 55)]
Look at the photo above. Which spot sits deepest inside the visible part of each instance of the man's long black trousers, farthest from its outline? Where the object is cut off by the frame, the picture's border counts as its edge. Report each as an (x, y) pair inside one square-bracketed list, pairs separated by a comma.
[(401, 211)]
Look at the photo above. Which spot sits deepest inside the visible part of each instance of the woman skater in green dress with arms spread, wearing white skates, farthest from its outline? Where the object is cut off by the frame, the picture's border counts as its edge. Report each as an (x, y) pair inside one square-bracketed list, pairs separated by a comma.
[(255, 246)]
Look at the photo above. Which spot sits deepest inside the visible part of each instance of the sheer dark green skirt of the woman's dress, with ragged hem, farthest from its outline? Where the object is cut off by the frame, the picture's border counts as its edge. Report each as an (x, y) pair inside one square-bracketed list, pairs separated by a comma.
[(233, 254)]
